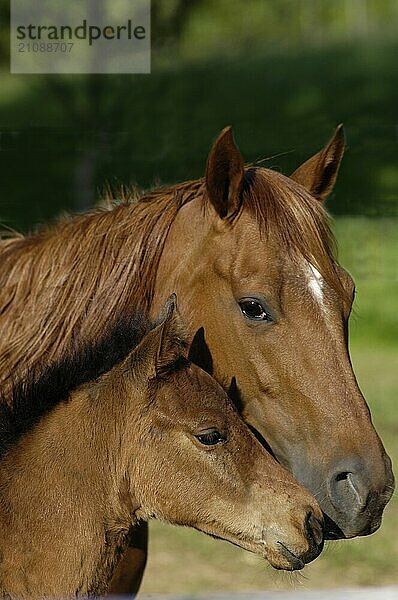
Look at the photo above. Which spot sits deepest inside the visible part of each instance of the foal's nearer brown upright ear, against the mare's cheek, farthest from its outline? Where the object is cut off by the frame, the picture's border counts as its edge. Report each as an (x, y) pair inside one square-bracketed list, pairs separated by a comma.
[(172, 345)]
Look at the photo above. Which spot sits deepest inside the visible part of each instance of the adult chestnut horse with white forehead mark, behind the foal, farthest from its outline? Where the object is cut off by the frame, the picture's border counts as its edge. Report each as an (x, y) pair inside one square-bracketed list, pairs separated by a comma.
[(249, 253)]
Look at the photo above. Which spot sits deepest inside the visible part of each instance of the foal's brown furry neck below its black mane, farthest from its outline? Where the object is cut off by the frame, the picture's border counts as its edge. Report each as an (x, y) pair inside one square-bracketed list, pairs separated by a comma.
[(62, 516)]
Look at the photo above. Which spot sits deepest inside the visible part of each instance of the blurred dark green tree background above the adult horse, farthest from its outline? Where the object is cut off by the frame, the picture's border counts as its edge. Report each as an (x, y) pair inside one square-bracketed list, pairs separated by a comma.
[(283, 72)]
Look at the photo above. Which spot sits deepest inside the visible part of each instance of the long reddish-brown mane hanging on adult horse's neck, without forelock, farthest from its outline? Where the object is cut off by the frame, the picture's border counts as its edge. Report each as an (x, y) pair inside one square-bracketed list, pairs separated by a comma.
[(67, 279)]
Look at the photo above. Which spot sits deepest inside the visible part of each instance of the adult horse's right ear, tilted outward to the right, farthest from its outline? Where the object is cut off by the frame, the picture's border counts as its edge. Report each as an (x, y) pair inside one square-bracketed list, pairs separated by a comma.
[(318, 174)]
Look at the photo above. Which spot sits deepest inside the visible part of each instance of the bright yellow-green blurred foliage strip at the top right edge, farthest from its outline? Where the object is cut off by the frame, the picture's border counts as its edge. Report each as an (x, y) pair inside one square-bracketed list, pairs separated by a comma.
[(229, 25)]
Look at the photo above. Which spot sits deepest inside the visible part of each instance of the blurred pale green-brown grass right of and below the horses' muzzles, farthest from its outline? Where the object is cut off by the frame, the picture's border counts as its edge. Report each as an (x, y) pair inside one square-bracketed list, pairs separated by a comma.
[(184, 561)]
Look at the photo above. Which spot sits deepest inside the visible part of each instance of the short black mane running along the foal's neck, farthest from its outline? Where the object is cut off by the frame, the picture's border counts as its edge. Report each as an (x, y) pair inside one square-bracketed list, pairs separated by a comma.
[(39, 393)]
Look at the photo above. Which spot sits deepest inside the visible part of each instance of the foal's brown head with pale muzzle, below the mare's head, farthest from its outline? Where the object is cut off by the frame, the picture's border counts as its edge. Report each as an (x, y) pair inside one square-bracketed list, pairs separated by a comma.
[(194, 462)]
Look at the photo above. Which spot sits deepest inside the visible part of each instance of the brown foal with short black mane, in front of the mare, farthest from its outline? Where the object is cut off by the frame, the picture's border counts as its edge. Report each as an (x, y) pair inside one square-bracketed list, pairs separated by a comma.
[(152, 436)]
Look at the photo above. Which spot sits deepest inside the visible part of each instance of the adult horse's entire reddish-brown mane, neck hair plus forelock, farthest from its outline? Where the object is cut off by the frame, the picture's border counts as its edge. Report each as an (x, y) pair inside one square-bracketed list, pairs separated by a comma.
[(64, 281)]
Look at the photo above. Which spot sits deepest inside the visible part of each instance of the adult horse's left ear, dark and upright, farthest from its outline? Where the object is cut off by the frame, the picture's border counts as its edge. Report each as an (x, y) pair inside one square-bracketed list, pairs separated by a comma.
[(224, 175)]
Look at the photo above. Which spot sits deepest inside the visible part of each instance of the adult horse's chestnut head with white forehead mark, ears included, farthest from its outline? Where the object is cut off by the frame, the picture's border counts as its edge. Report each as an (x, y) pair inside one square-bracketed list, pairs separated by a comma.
[(258, 283)]
